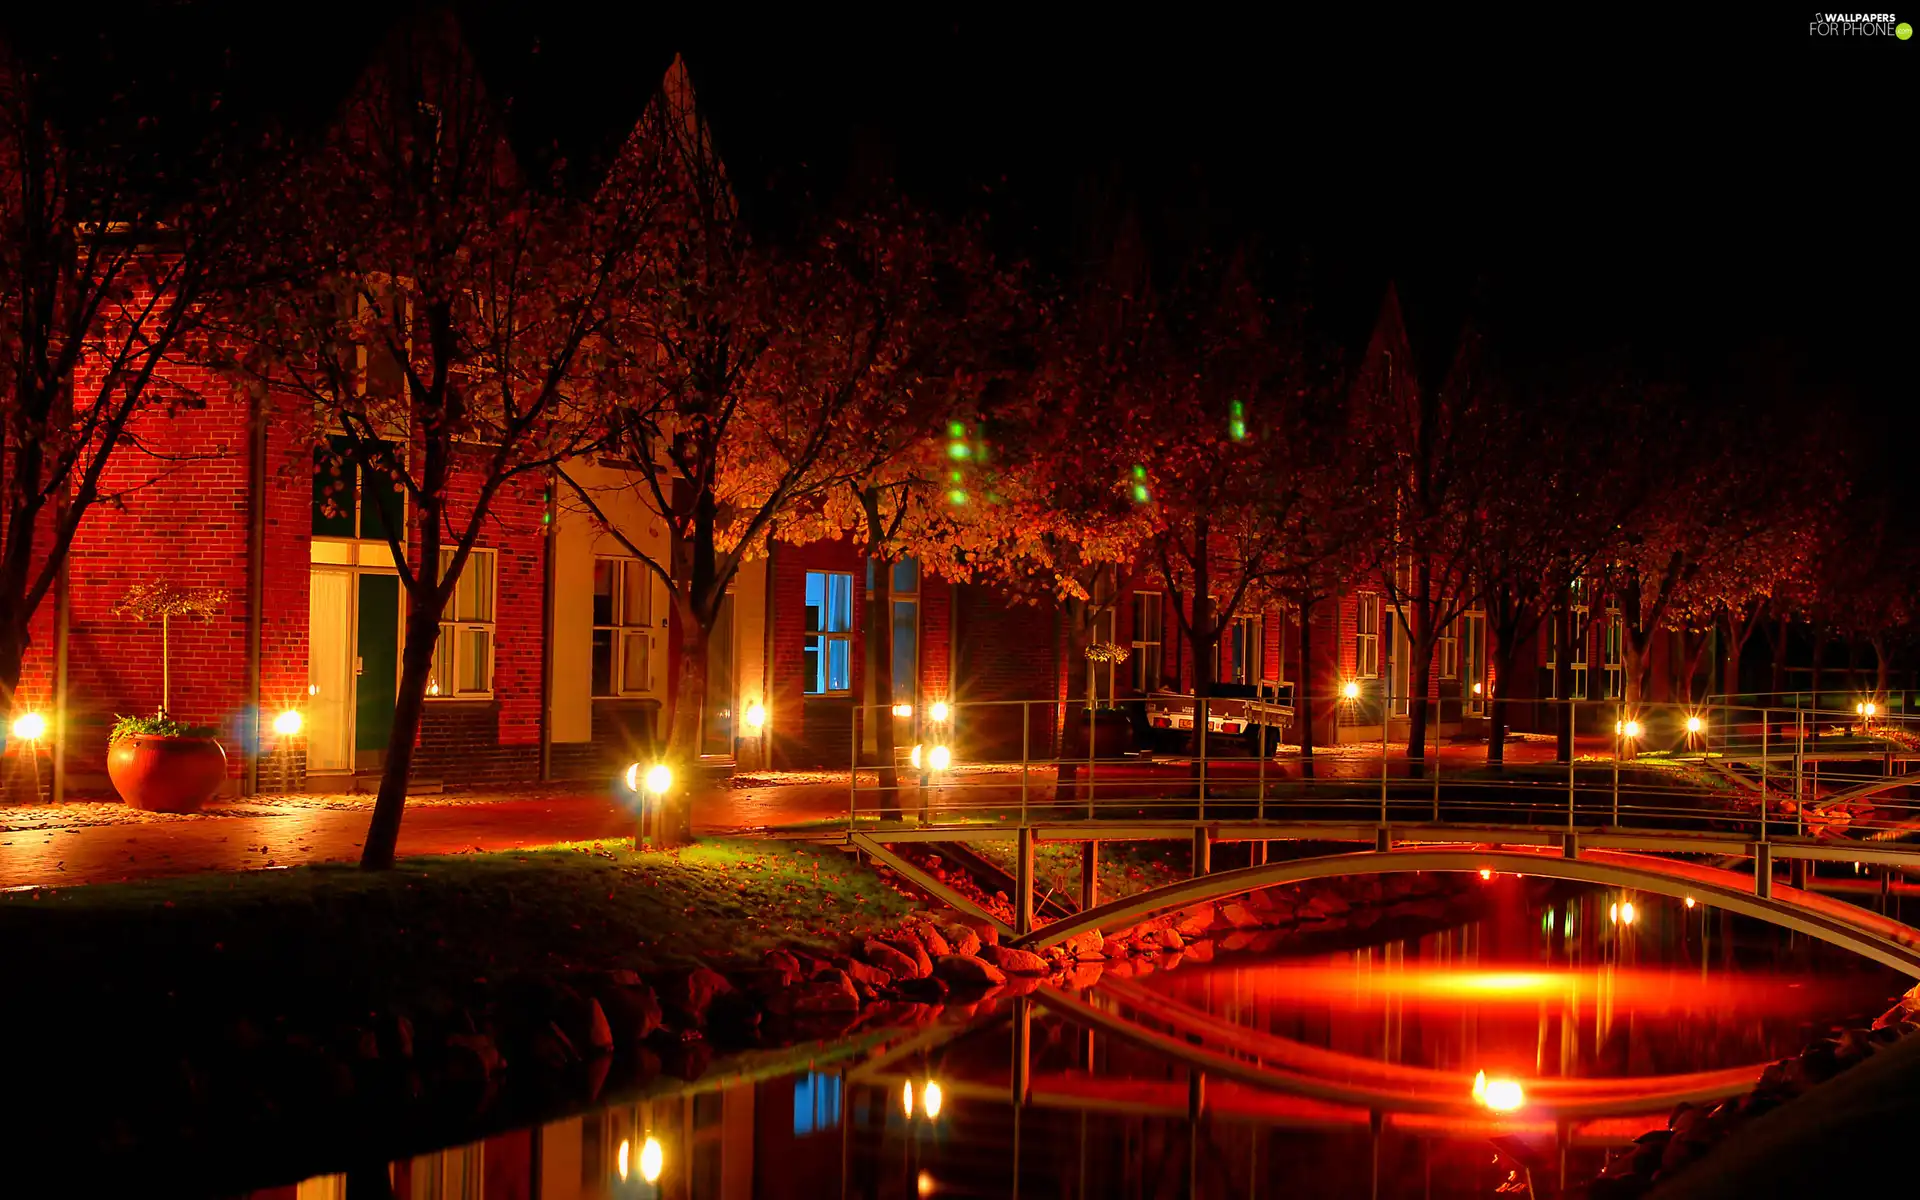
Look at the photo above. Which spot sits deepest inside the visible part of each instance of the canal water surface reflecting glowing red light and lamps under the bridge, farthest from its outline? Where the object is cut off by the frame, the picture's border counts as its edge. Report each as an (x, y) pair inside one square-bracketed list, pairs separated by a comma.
[(1374, 1072)]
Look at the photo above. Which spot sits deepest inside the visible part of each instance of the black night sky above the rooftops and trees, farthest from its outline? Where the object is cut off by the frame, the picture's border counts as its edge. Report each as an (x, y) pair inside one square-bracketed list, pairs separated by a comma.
[(1694, 195)]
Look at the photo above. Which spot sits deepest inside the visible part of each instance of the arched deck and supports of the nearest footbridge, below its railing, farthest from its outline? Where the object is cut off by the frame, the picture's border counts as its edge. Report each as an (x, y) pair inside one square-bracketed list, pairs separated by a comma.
[(1654, 861)]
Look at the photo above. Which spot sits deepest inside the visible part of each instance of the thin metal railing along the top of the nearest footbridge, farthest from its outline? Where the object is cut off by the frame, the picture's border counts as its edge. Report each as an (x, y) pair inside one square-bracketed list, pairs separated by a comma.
[(1750, 771)]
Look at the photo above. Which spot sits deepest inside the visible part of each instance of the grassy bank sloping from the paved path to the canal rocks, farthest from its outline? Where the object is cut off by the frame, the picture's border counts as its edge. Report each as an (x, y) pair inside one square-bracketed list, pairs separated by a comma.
[(333, 940)]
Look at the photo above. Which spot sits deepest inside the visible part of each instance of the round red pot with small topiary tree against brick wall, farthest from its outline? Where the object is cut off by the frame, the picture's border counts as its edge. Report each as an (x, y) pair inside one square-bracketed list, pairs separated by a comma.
[(160, 763)]
